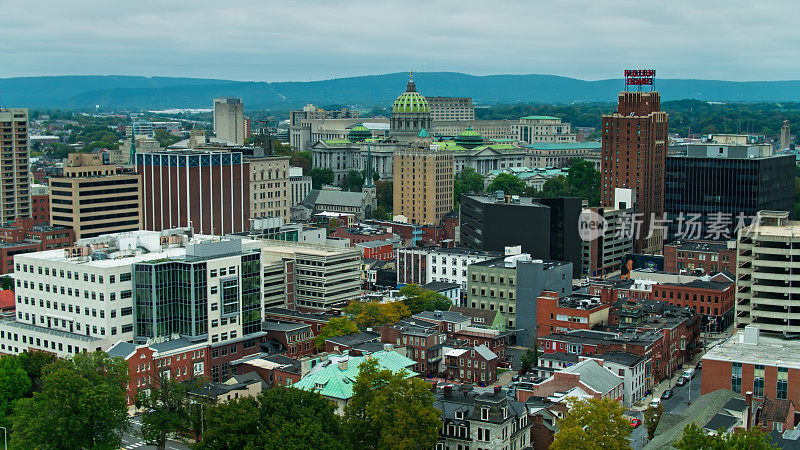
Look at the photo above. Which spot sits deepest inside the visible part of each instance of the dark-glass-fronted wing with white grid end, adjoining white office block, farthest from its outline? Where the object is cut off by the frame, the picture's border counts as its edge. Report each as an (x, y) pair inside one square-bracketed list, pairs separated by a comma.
[(211, 293)]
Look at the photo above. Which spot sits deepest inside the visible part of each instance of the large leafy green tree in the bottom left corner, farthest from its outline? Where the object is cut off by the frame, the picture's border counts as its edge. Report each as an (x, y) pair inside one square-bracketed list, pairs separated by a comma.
[(81, 405)]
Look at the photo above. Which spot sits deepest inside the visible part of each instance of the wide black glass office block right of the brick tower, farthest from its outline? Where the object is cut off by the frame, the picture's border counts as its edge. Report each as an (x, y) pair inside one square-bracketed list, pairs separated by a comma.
[(721, 187)]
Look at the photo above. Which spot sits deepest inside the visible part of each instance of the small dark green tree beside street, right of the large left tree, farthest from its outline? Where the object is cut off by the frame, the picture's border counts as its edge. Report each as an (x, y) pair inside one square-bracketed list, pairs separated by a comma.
[(167, 404)]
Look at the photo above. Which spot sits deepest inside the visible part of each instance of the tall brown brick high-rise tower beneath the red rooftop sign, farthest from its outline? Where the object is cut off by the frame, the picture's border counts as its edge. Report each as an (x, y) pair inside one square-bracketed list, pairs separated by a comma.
[(634, 152)]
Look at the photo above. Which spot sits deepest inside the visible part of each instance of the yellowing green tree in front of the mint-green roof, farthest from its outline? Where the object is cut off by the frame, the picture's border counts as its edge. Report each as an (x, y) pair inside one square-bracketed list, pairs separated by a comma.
[(390, 411)]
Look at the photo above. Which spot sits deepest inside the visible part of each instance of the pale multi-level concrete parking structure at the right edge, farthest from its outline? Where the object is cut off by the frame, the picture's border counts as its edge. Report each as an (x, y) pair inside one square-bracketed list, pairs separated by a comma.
[(767, 293)]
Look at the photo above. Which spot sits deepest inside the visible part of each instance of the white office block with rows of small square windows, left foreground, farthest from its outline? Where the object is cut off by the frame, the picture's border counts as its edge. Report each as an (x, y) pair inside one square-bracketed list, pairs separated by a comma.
[(82, 298)]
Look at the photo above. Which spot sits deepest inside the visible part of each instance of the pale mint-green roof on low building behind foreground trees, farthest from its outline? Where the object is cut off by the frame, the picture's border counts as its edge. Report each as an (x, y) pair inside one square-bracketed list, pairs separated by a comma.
[(335, 382)]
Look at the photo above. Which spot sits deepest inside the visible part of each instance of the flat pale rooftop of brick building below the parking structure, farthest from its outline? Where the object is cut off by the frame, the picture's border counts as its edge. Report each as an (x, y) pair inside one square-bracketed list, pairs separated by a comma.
[(770, 351)]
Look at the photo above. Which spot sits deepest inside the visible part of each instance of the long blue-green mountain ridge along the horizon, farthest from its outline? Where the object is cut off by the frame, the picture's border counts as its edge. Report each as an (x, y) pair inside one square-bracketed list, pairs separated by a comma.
[(132, 92)]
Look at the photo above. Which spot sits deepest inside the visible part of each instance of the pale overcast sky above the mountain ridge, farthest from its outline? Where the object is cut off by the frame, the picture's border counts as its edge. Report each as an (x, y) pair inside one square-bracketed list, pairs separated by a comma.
[(264, 40)]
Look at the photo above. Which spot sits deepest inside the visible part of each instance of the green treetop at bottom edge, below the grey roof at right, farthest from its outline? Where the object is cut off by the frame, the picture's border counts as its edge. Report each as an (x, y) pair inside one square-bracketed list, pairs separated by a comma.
[(694, 438)]
